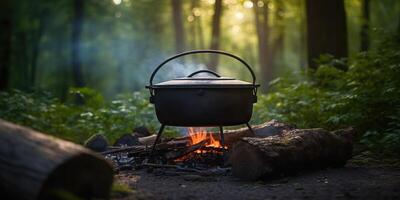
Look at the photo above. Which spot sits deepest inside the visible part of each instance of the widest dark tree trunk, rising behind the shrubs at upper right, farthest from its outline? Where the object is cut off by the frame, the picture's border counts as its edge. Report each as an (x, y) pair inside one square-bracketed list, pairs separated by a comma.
[(326, 29)]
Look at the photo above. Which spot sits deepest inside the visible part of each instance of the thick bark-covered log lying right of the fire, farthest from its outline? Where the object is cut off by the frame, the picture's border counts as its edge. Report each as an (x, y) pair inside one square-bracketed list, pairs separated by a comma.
[(290, 152)]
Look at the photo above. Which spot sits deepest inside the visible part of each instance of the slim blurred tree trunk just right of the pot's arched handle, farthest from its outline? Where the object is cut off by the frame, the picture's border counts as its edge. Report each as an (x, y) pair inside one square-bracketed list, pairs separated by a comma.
[(263, 33)]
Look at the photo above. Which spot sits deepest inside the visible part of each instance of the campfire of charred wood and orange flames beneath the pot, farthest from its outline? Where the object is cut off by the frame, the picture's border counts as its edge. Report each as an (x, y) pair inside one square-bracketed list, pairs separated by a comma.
[(199, 150)]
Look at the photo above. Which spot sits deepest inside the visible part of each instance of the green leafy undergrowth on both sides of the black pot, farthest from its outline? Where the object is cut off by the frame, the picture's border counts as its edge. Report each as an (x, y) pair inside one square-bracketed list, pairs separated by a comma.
[(362, 92)]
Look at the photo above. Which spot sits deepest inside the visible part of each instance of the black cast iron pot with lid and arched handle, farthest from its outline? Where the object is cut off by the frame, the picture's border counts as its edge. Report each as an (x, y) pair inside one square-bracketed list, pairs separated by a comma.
[(203, 101)]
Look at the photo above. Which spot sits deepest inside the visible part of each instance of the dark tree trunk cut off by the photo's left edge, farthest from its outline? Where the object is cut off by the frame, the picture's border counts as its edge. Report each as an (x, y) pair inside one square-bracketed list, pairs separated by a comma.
[(5, 43)]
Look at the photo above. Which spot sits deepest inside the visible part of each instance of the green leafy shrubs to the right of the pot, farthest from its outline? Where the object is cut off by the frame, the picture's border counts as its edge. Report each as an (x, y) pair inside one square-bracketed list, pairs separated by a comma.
[(366, 96)]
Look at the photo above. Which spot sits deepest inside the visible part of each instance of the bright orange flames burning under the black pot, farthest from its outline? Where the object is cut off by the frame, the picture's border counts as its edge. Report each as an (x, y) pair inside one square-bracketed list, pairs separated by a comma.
[(199, 134)]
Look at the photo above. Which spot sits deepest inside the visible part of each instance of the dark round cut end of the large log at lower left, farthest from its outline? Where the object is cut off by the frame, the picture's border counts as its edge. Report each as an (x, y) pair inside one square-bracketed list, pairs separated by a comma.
[(84, 176)]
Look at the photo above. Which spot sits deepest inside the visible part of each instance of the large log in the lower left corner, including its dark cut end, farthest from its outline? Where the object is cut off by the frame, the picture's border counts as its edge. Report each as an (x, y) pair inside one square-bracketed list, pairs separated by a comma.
[(37, 166)]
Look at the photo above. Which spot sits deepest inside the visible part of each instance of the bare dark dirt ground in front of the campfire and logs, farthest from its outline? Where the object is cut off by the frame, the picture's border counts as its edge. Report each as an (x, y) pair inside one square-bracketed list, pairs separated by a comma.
[(354, 181)]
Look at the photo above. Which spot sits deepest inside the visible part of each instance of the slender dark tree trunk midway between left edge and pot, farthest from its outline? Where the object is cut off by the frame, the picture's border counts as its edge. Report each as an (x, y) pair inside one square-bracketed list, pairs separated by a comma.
[(78, 6)]
